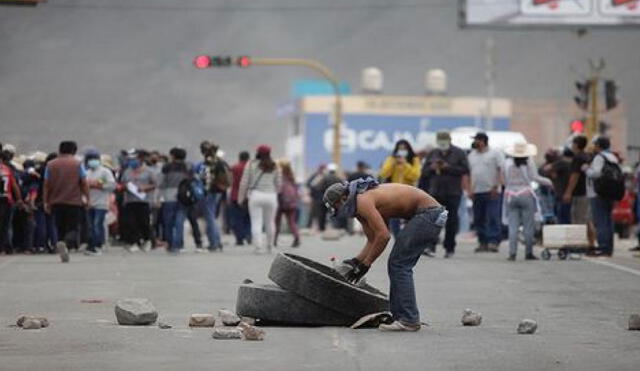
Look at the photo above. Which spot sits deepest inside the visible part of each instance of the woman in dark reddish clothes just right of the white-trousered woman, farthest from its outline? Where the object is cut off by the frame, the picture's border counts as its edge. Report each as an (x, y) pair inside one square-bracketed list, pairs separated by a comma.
[(288, 202)]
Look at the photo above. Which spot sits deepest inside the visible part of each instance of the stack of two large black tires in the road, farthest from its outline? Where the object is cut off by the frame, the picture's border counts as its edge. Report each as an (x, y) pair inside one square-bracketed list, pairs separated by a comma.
[(308, 293)]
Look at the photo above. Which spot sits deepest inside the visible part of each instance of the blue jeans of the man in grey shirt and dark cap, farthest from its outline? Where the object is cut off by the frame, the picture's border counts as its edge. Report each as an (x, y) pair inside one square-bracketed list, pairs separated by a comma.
[(486, 217)]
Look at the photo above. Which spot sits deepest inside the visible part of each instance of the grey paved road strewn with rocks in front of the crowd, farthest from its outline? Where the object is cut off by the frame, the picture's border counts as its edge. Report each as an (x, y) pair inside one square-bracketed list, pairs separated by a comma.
[(581, 307)]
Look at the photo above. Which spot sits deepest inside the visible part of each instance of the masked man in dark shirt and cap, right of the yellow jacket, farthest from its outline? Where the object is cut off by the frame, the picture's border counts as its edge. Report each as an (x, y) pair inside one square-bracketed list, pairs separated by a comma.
[(444, 167)]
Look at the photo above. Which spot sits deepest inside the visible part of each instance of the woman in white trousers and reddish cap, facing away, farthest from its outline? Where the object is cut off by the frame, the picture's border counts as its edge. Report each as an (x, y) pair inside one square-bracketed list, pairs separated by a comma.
[(260, 184)]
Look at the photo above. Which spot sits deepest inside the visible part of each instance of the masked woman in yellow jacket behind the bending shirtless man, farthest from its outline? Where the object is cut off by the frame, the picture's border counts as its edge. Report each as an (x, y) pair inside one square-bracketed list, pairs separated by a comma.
[(403, 166)]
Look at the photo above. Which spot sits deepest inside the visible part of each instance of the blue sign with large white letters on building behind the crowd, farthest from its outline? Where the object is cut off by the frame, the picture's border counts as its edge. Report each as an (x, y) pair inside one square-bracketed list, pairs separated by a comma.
[(371, 138)]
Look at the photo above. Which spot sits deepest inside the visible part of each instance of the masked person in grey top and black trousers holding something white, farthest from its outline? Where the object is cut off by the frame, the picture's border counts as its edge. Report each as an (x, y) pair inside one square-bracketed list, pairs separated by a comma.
[(138, 184)]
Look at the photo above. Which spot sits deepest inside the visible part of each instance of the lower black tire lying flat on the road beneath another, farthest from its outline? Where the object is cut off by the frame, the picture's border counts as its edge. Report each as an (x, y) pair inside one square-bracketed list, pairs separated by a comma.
[(275, 306)]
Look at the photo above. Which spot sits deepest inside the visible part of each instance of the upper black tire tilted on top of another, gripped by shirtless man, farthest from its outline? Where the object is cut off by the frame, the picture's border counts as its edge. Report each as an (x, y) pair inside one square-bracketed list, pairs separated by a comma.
[(324, 286)]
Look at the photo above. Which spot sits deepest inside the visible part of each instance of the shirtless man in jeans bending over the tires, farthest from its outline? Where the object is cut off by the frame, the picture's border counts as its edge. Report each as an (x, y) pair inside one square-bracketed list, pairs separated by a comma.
[(373, 205)]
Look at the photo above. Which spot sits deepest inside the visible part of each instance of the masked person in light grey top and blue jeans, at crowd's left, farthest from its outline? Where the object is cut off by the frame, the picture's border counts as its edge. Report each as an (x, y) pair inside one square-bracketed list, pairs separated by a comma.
[(101, 183)]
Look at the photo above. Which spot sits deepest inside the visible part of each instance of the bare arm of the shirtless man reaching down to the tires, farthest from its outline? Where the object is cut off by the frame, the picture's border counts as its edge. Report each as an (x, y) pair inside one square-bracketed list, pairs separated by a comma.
[(375, 229)]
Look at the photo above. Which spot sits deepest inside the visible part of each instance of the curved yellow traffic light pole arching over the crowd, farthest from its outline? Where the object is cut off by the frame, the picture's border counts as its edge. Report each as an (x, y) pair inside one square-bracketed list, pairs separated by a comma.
[(326, 72)]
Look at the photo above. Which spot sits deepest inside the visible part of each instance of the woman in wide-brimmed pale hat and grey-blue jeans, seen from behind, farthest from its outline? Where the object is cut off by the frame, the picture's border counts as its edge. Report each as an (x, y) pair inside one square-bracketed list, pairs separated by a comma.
[(521, 205)]
